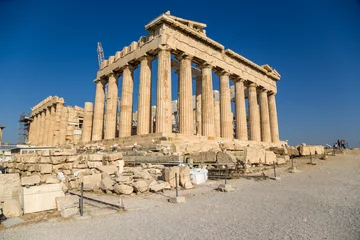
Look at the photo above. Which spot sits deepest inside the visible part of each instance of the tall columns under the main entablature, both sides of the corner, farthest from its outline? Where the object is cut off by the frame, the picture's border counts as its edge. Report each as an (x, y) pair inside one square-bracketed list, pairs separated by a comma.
[(263, 117)]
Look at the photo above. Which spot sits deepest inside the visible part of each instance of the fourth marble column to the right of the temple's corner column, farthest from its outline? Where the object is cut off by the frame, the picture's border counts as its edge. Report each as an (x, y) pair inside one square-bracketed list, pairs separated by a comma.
[(240, 111)]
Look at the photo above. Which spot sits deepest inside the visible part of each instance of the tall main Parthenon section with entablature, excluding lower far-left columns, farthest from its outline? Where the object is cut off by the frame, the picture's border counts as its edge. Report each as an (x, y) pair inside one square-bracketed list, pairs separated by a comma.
[(187, 41)]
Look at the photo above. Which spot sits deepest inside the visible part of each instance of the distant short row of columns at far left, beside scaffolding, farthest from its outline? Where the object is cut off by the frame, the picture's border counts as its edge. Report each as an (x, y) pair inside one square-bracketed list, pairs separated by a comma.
[(47, 126)]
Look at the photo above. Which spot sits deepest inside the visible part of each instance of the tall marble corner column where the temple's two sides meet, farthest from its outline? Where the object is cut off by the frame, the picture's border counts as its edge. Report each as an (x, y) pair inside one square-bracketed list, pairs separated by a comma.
[(163, 93)]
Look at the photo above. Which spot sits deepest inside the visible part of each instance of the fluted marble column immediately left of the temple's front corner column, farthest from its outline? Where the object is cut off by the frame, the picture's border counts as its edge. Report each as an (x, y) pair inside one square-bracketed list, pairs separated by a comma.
[(144, 102)]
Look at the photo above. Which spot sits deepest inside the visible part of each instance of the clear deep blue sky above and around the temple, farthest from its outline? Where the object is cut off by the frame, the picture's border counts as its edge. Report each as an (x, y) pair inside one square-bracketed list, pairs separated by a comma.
[(49, 48)]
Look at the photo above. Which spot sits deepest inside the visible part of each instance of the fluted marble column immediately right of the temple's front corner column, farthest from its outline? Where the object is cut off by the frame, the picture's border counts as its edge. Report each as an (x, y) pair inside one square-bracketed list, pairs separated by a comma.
[(186, 123)]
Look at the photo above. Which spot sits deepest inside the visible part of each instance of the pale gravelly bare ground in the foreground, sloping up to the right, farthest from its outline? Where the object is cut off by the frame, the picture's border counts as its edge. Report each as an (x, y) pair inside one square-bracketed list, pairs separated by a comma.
[(321, 202)]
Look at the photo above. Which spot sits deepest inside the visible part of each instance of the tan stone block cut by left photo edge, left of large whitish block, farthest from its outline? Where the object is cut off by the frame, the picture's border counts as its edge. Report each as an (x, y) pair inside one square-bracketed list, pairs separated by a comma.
[(10, 187)]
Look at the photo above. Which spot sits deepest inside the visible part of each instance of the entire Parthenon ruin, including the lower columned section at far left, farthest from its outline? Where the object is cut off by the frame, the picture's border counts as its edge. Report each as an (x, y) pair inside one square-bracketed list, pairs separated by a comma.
[(180, 46)]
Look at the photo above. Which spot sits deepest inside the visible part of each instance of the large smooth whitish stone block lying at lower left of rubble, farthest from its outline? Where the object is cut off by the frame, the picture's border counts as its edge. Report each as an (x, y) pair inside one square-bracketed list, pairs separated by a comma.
[(41, 198)]
